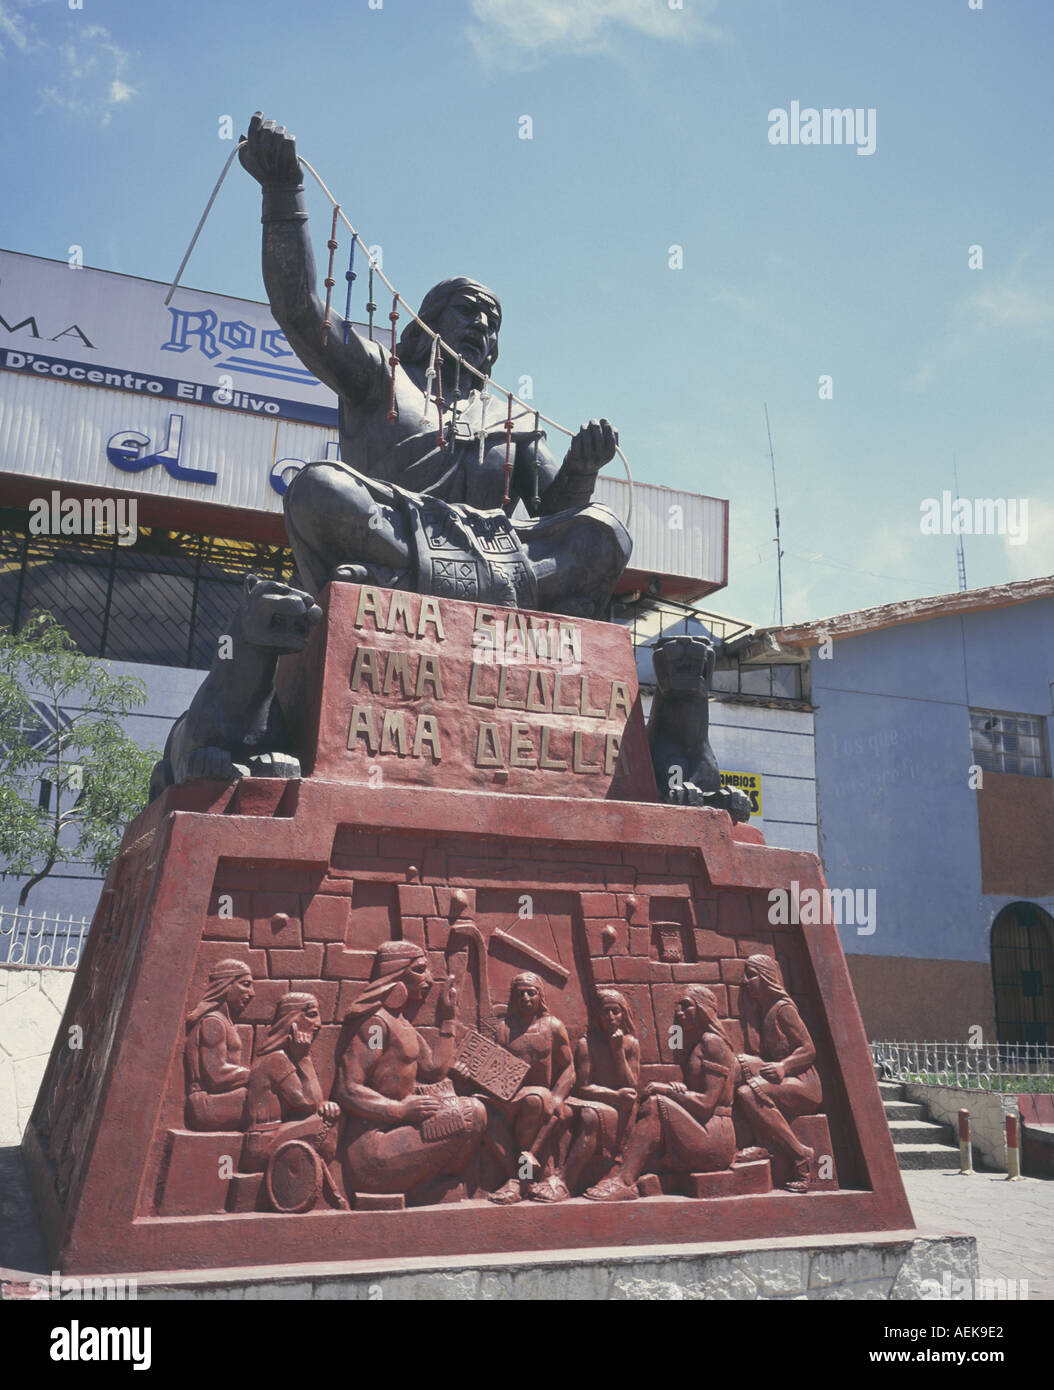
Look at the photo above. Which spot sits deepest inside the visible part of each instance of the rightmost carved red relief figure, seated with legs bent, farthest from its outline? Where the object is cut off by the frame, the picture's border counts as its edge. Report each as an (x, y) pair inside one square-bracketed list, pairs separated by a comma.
[(782, 1082)]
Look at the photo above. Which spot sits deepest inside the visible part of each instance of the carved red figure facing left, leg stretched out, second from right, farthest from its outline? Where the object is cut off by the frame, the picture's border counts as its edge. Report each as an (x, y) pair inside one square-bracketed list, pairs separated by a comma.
[(683, 1127)]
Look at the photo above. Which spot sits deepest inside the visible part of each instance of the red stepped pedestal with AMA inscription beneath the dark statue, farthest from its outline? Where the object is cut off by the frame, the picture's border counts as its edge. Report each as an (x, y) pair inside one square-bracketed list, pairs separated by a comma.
[(304, 881)]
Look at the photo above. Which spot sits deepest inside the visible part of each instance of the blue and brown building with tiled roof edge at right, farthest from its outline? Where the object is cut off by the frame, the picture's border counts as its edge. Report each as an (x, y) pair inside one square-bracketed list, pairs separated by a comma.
[(935, 793)]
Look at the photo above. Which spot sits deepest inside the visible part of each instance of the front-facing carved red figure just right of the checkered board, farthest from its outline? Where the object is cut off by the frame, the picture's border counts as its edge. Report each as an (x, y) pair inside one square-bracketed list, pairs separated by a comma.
[(533, 1120)]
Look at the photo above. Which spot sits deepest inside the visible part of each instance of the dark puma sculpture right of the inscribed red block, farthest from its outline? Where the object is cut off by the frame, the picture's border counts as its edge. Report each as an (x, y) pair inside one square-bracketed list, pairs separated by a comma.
[(679, 729)]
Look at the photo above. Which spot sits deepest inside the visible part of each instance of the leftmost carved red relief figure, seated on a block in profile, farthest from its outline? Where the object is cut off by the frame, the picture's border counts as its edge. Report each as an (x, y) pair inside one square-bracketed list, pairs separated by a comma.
[(218, 1075)]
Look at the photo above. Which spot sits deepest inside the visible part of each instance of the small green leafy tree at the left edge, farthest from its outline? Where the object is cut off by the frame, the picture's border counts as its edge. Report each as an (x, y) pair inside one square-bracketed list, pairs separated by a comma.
[(70, 778)]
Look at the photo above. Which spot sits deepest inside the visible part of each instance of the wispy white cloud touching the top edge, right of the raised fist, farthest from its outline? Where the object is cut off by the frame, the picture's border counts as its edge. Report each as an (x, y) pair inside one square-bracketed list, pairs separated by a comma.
[(535, 27)]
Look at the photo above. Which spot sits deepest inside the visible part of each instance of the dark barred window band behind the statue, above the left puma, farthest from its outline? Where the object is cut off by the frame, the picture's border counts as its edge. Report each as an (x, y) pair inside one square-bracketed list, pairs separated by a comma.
[(165, 600)]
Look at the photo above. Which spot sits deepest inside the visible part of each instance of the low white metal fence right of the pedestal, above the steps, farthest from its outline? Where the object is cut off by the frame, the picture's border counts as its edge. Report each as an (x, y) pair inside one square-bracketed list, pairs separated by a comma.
[(989, 1067)]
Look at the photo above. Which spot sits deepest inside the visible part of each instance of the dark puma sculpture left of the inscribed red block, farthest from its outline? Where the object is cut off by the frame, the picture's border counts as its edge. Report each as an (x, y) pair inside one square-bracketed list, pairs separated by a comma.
[(234, 726)]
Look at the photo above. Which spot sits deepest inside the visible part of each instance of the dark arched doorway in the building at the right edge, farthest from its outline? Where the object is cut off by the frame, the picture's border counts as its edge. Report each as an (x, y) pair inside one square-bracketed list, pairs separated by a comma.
[(1023, 974)]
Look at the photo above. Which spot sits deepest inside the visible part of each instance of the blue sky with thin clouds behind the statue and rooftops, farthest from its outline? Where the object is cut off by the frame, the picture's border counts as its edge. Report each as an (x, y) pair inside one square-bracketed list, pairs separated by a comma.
[(650, 130)]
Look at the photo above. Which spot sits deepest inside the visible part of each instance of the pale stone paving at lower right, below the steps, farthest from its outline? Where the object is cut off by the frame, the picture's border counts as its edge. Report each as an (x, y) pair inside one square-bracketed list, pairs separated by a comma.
[(1013, 1223)]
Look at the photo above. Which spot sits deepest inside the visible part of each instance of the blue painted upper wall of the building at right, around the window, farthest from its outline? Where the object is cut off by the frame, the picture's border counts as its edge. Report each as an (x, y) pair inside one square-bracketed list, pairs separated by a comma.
[(893, 755)]
